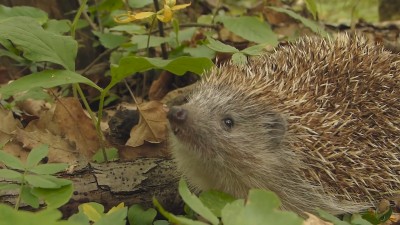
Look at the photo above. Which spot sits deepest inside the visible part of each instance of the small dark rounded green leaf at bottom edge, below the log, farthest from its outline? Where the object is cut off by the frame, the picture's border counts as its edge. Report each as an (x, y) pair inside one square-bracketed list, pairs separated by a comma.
[(138, 216)]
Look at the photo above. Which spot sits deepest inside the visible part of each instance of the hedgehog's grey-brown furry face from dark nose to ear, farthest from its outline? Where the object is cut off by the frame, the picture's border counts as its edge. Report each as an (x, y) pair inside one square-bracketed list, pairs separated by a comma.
[(219, 124)]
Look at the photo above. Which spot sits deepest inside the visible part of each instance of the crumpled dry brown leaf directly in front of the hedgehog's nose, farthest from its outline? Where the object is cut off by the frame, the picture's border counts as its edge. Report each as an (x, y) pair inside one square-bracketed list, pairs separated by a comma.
[(152, 125)]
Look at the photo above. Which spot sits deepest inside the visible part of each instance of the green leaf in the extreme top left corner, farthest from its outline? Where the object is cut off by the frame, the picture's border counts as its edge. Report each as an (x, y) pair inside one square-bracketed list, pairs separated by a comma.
[(34, 13)]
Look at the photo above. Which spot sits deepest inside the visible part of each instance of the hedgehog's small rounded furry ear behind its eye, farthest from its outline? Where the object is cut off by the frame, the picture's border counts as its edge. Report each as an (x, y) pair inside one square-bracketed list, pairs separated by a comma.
[(276, 127)]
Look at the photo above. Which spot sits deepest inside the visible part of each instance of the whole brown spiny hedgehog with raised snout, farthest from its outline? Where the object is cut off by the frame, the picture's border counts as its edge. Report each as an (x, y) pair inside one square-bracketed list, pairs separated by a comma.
[(315, 121)]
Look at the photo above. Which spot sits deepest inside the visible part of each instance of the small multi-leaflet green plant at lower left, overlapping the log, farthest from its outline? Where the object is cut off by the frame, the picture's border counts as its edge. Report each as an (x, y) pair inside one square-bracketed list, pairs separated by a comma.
[(34, 180)]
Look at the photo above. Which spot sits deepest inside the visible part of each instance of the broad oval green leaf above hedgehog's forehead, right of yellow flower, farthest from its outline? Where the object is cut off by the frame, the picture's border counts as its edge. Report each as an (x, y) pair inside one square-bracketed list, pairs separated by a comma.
[(249, 28)]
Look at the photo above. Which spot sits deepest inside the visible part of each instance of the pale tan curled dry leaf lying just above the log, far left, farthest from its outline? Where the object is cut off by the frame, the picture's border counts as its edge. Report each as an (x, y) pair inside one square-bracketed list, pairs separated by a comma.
[(60, 150)]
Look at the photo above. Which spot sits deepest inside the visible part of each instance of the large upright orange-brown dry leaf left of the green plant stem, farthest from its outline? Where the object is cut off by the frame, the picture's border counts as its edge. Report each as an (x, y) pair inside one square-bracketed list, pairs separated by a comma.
[(76, 126)]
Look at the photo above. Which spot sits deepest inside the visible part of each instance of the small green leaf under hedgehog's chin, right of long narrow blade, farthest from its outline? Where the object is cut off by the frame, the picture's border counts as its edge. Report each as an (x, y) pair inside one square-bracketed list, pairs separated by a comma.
[(215, 200)]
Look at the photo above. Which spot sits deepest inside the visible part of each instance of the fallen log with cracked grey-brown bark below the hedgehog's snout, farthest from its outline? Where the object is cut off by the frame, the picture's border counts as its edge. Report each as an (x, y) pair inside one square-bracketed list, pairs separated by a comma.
[(109, 184)]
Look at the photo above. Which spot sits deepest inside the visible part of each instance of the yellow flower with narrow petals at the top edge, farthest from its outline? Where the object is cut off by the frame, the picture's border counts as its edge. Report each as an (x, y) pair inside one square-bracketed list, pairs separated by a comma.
[(164, 15)]
